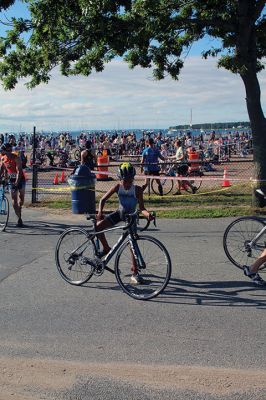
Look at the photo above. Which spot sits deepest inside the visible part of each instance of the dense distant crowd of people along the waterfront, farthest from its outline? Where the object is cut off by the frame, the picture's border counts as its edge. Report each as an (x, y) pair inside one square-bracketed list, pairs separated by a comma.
[(212, 146)]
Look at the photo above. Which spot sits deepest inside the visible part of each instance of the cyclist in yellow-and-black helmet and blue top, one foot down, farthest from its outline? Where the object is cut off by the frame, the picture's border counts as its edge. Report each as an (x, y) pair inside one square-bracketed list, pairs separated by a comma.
[(129, 196)]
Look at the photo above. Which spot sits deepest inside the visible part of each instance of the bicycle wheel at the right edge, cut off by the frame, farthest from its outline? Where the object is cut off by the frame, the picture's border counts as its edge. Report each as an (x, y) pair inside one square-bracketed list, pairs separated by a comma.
[(235, 239)]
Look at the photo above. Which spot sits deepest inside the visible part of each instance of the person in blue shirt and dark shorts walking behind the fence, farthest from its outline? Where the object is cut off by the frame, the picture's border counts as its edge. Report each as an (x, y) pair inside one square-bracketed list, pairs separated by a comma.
[(150, 163)]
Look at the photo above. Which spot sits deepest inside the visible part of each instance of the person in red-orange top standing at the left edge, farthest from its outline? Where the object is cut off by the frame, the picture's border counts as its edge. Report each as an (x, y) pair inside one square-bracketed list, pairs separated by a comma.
[(11, 167)]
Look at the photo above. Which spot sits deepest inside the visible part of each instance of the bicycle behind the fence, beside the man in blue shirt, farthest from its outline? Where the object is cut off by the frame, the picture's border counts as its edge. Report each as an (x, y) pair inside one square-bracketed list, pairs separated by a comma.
[(190, 186)]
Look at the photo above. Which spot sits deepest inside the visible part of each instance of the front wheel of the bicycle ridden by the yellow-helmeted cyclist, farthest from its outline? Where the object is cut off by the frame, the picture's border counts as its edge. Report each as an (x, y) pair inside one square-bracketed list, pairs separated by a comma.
[(156, 272)]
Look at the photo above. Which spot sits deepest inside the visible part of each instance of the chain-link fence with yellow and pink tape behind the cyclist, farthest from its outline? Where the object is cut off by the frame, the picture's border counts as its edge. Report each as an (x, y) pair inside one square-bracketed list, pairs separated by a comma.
[(51, 184)]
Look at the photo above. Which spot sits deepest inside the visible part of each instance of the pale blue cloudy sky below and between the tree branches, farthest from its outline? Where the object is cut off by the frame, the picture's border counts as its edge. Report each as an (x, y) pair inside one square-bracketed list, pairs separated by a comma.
[(119, 98)]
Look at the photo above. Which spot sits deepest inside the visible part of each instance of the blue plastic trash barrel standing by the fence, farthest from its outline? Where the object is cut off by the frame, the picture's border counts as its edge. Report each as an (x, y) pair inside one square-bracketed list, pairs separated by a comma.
[(82, 184)]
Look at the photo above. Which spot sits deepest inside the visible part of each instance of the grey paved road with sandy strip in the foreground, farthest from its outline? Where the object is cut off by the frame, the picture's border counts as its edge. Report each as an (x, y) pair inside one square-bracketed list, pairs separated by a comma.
[(202, 339)]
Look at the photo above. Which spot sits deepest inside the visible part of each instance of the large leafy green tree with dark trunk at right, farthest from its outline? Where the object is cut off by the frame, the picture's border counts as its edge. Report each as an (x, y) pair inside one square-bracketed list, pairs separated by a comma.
[(83, 35)]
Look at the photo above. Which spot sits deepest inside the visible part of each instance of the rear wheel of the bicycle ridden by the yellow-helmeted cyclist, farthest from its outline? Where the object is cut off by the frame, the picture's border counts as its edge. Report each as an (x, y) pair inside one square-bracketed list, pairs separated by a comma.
[(74, 268)]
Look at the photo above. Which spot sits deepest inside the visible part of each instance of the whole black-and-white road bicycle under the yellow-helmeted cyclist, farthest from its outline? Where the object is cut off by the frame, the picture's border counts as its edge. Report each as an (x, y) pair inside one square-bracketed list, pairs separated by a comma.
[(78, 258)]
